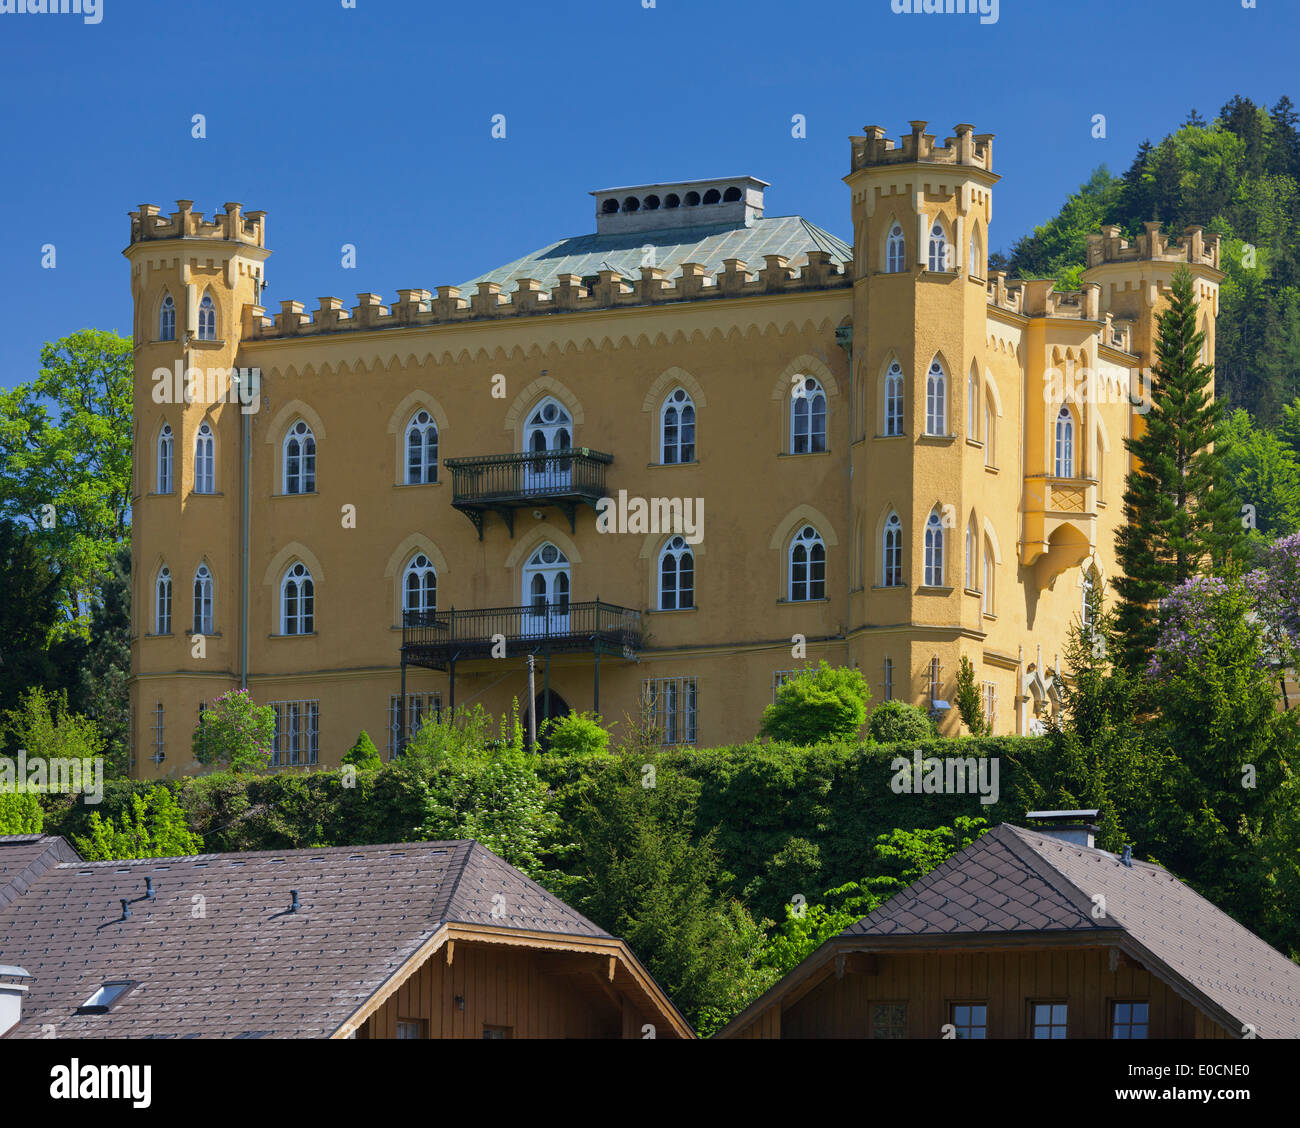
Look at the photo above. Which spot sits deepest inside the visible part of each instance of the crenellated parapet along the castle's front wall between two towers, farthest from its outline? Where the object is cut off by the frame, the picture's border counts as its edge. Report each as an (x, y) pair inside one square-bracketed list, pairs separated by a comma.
[(606, 290)]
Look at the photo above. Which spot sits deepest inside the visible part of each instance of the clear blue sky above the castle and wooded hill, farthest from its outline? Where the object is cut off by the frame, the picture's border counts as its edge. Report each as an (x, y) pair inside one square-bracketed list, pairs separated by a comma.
[(372, 125)]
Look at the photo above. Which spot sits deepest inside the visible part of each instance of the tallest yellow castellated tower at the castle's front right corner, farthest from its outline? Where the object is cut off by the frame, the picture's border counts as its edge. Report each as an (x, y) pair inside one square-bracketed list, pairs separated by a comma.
[(921, 219)]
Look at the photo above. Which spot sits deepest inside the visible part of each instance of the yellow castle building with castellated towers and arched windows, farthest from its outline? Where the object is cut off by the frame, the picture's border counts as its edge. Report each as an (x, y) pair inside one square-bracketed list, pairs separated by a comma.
[(673, 461)]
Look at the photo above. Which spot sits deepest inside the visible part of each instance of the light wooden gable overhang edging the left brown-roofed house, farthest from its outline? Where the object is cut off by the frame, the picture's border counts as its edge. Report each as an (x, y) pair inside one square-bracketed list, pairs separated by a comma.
[(625, 971)]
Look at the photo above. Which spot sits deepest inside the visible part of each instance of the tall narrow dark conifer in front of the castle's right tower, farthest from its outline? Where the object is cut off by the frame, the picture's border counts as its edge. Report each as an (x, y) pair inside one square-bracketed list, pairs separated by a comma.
[(1178, 515)]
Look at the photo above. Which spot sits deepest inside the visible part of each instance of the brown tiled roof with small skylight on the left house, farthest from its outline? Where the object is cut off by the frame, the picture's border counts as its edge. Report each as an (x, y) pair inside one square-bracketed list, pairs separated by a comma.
[(218, 953)]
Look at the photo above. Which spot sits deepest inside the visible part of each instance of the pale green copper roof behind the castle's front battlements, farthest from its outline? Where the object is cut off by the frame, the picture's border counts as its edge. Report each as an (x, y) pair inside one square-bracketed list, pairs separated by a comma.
[(586, 255)]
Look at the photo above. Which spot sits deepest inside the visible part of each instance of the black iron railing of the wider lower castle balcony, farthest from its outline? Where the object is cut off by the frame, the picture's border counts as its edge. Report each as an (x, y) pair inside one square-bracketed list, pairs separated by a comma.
[(440, 637)]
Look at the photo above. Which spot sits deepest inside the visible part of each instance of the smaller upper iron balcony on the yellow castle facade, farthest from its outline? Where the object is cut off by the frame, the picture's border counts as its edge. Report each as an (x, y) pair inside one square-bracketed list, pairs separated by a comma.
[(502, 484)]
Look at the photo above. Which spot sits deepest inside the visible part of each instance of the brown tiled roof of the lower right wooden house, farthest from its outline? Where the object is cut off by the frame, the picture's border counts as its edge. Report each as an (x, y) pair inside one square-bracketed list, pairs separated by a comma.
[(1015, 882)]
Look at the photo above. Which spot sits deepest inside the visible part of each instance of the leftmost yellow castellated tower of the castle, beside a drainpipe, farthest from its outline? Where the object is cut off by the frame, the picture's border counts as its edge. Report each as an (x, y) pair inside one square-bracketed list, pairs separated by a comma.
[(196, 287)]
